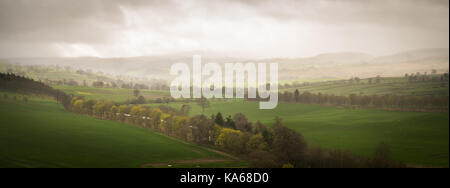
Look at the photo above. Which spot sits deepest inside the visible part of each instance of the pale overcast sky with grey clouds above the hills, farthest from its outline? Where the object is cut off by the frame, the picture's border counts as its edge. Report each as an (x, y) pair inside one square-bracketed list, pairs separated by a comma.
[(240, 28)]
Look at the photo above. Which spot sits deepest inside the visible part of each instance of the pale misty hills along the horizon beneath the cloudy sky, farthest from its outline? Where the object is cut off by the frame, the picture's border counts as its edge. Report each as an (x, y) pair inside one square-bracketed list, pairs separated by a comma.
[(327, 66)]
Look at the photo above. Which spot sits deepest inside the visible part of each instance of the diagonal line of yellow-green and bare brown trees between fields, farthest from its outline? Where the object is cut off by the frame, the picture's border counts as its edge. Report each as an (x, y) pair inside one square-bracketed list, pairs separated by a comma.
[(263, 146)]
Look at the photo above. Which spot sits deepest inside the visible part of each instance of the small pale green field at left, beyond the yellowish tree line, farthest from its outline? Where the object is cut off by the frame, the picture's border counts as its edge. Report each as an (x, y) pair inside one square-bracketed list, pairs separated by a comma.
[(111, 94)]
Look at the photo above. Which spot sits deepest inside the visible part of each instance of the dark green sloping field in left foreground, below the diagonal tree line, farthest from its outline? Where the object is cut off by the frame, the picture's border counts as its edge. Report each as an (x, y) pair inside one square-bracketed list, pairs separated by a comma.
[(40, 133)]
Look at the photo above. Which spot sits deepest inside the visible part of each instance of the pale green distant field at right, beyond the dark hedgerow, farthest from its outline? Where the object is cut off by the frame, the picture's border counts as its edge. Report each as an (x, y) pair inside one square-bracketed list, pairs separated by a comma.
[(395, 86)]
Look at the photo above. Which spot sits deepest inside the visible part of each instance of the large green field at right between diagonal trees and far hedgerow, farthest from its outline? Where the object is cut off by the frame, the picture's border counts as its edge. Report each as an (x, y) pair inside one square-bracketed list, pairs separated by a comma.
[(416, 138)]
